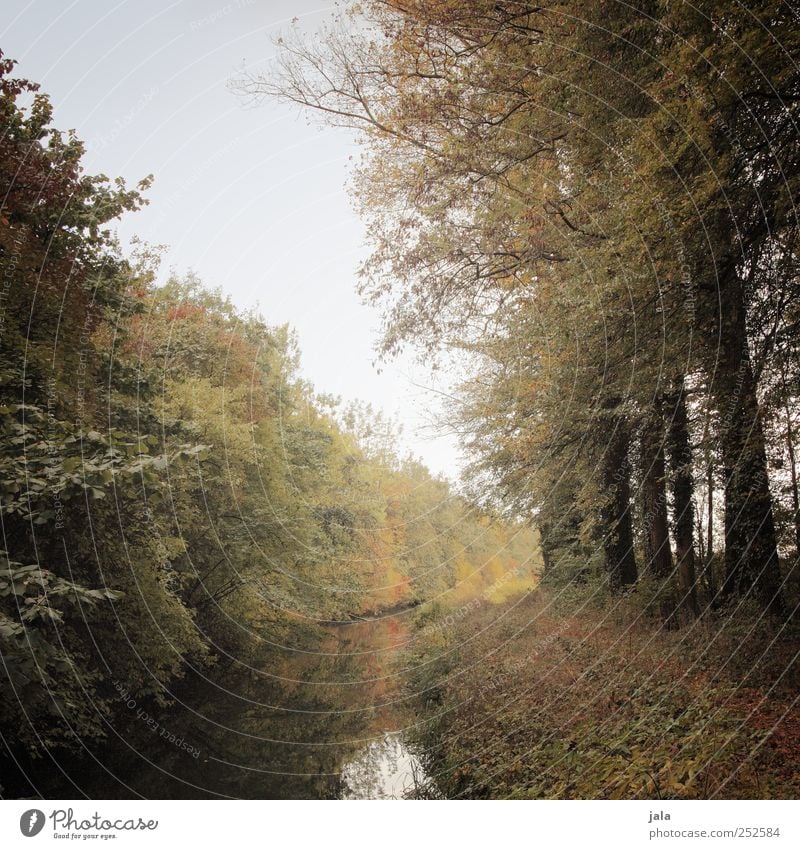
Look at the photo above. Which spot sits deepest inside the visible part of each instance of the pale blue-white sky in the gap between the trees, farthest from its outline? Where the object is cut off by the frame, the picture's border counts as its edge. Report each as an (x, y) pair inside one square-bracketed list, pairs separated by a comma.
[(252, 198)]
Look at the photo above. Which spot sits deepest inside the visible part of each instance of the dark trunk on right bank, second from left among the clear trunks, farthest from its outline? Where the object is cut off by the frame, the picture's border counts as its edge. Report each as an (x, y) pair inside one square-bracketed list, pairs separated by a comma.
[(657, 552)]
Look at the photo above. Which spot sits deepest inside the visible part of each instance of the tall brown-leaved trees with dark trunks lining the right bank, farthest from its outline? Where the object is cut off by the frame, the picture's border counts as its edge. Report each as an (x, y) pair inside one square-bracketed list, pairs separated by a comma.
[(595, 202)]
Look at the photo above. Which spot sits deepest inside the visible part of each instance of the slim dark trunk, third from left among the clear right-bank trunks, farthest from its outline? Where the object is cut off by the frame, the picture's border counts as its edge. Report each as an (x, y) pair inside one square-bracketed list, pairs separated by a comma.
[(680, 452)]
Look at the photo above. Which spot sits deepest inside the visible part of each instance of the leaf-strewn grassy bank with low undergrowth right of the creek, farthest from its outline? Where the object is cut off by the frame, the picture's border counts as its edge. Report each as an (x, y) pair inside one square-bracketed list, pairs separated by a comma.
[(579, 696)]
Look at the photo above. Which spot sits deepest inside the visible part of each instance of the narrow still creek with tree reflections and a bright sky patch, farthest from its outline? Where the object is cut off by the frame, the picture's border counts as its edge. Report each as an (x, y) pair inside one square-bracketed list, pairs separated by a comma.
[(318, 713)]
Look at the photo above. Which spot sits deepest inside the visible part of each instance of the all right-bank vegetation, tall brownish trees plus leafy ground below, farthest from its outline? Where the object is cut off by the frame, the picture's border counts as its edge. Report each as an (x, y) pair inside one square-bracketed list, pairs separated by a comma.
[(594, 205)]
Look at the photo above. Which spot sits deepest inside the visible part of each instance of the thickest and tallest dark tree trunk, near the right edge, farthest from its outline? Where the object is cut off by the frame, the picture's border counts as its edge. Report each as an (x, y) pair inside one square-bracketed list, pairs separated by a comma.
[(751, 555)]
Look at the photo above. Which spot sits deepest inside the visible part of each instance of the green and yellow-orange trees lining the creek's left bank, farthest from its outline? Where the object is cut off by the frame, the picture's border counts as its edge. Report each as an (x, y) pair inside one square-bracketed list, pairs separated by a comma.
[(173, 494)]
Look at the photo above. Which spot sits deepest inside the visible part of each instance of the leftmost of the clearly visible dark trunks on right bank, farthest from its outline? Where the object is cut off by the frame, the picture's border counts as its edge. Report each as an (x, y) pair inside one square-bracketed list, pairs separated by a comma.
[(620, 560)]
